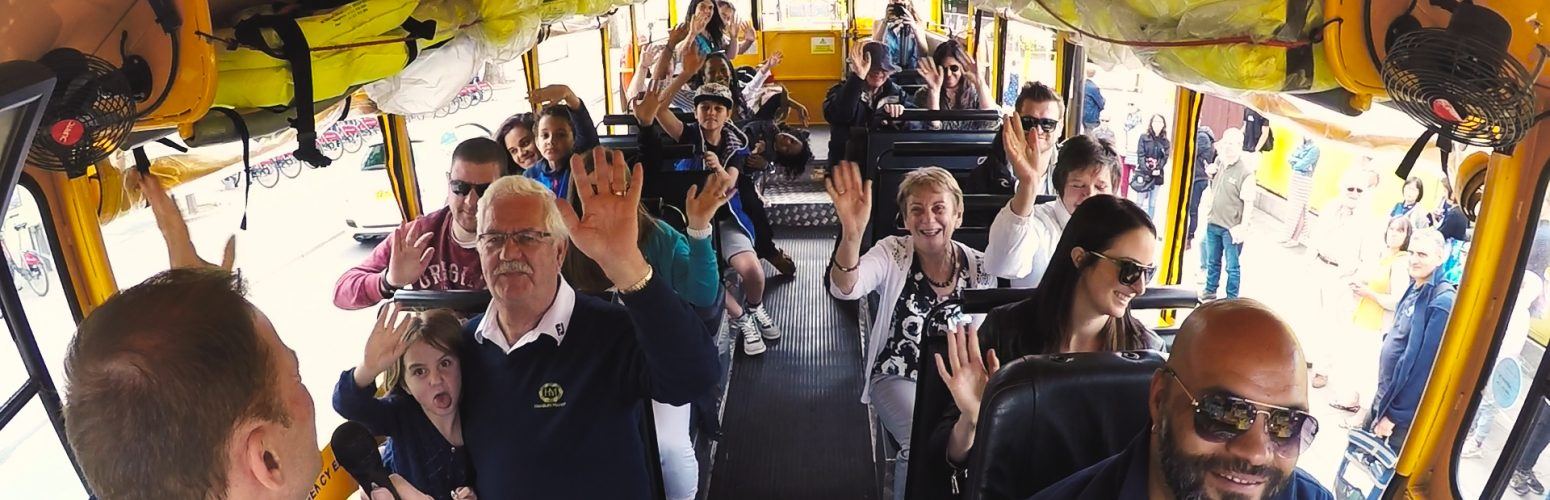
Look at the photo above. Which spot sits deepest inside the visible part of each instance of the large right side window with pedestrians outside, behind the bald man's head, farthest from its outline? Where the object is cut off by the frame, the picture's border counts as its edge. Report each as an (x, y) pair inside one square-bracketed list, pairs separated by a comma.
[(1363, 267)]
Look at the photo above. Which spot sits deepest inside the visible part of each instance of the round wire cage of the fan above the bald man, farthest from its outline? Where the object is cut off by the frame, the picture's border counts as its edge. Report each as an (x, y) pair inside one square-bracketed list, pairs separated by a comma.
[(1487, 87)]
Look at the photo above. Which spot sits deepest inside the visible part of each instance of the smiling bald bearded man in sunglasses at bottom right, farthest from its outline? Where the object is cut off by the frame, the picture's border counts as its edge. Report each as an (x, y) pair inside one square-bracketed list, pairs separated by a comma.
[(1228, 417)]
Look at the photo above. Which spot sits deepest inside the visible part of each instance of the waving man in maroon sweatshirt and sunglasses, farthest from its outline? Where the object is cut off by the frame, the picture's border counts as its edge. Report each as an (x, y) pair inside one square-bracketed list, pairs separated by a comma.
[(435, 252)]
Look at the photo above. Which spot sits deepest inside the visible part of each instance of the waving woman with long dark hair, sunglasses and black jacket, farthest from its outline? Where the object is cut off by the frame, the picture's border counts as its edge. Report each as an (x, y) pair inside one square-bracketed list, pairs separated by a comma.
[(1106, 258)]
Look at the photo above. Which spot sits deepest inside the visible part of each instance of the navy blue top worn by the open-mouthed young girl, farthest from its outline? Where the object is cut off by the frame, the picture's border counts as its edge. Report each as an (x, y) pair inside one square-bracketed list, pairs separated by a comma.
[(418, 451)]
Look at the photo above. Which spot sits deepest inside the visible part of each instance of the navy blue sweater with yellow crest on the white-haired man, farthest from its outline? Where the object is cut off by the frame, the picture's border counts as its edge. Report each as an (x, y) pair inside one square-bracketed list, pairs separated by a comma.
[(563, 422)]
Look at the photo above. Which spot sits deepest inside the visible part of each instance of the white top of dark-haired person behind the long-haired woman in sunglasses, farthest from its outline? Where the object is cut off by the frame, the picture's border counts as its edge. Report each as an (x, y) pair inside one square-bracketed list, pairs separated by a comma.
[(1021, 247)]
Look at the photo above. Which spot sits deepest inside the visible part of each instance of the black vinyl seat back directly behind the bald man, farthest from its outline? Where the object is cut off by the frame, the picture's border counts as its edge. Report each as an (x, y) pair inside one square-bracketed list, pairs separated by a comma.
[(1047, 417)]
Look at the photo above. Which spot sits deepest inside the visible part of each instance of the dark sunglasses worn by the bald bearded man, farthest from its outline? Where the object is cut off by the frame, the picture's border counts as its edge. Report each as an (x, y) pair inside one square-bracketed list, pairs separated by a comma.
[(1225, 417)]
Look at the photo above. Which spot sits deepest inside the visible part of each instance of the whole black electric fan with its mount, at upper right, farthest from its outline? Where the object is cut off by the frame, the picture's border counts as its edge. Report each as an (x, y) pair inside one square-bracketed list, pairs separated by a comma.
[(1461, 81)]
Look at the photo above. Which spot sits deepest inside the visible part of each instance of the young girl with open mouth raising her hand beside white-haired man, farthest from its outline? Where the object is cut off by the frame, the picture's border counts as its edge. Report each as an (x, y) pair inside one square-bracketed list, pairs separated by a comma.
[(419, 414)]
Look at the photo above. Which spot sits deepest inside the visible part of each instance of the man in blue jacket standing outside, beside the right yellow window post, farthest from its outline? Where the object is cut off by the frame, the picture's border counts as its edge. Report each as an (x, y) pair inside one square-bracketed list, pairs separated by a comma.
[(1410, 348)]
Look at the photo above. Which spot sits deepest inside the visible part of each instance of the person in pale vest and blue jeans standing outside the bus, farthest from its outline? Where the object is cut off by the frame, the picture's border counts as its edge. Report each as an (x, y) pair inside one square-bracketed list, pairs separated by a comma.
[(1233, 194)]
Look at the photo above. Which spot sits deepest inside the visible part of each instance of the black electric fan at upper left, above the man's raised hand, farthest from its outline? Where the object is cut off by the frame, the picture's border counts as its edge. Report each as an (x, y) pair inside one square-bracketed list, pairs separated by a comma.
[(89, 115)]
